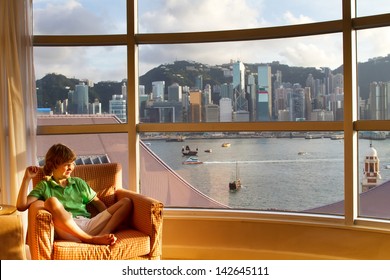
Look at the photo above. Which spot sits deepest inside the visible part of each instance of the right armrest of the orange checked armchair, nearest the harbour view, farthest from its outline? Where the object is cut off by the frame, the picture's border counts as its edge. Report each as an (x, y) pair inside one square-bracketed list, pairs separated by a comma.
[(147, 217)]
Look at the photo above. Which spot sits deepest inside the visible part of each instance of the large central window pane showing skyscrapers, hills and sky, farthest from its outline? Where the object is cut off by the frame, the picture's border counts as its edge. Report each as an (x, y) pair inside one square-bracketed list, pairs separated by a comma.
[(264, 80)]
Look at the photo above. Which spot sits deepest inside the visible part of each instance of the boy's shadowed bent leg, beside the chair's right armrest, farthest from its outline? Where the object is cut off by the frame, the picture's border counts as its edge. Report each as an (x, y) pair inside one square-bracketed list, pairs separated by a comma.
[(120, 211)]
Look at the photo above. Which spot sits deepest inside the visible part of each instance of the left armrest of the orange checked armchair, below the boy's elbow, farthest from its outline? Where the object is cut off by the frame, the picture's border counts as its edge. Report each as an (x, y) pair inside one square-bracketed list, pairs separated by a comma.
[(40, 231)]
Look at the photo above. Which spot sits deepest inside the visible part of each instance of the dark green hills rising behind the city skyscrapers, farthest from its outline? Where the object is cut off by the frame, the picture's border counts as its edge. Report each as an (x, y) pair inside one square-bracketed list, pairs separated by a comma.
[(55, 87)]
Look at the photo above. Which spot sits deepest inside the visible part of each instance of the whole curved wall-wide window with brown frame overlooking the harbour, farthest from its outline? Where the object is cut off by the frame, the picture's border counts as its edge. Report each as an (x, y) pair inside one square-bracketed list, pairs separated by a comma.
[(305, 61)]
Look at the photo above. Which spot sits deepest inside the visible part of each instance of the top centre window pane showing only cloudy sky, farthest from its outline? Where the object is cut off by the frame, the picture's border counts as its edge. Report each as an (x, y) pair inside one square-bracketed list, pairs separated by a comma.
[(212, 15)]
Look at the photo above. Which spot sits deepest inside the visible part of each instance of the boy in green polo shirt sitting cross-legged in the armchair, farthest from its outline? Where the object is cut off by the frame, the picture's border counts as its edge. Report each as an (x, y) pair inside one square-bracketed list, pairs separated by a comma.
[(66, 197)]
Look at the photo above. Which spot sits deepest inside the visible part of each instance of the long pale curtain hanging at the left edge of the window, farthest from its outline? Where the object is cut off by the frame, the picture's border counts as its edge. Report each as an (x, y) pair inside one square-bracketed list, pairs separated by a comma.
[(17, 96)]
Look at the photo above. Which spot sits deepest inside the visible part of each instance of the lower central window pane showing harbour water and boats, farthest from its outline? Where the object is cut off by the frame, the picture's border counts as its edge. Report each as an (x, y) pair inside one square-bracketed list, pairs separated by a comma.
[(278, 171)]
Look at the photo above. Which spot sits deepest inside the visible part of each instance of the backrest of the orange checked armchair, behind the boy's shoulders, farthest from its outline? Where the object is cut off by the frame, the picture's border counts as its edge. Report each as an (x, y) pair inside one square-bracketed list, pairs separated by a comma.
[(97, 176)]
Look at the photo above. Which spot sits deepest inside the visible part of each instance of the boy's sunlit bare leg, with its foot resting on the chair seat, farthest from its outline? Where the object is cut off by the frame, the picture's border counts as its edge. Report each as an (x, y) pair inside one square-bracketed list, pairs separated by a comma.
[(65, 225)]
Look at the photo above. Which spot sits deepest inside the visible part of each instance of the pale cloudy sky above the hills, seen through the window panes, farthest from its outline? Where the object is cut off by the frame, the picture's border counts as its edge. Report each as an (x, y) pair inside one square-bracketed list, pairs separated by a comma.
[(54, 17)]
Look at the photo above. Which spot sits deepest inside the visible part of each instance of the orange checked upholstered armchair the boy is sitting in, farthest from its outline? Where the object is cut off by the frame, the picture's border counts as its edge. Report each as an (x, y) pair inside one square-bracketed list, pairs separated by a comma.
[(139, 238)]
